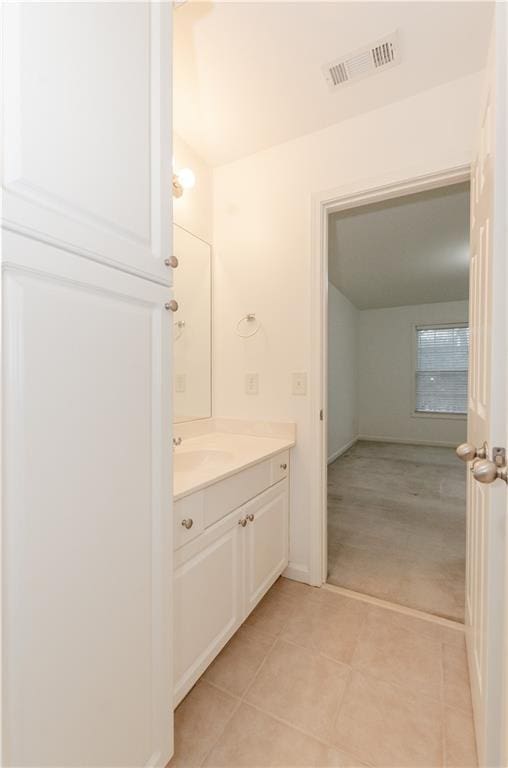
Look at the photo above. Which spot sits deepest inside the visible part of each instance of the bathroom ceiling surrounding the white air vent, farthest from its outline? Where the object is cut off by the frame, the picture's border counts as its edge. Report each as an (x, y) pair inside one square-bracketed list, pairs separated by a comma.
[(248, 76)]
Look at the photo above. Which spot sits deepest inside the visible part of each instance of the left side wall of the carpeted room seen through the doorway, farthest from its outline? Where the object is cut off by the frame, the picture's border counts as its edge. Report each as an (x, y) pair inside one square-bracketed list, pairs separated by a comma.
[(343, 319)]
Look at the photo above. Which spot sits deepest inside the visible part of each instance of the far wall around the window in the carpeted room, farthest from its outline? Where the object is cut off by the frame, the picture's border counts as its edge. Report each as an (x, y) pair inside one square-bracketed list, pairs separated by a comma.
[(386, 388)]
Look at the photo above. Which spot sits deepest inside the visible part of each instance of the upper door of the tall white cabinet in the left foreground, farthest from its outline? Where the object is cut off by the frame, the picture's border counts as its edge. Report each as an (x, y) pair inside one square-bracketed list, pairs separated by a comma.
[(86, 105)]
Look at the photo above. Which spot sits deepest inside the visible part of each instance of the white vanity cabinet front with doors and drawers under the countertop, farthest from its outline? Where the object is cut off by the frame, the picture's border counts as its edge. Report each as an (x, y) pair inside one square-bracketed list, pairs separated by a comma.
[(226, 568)]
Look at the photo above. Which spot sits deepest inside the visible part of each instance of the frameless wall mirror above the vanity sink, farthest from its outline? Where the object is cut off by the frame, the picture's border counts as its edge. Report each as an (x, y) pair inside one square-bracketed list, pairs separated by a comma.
[(192, 329)]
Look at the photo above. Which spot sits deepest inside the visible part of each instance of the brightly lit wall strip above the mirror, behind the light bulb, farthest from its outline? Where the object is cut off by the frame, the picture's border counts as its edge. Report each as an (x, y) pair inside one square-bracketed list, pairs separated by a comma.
[(193, 211)]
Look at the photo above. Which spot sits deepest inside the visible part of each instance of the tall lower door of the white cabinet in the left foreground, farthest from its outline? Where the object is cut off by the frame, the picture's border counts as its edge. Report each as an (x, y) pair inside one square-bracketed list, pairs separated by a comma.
[(86, 512)]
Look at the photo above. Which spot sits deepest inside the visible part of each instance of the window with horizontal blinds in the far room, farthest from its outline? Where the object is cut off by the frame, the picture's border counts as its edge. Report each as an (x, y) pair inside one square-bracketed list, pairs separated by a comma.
[(441, 369)]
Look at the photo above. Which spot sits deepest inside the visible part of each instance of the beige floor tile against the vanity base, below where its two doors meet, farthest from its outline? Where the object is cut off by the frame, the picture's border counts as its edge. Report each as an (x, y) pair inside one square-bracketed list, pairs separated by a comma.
[(235, 667)]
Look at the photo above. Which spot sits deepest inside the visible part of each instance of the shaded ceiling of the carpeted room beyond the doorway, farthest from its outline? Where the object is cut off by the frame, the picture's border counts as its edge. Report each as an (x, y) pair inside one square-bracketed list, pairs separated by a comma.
[(410, 250)]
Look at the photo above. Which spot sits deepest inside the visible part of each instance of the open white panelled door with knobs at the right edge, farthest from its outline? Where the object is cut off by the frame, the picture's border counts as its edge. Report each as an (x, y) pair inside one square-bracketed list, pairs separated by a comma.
[(487, 504)]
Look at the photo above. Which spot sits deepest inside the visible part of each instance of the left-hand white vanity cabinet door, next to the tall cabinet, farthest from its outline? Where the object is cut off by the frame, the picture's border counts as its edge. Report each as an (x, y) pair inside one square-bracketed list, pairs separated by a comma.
[(207, 595)]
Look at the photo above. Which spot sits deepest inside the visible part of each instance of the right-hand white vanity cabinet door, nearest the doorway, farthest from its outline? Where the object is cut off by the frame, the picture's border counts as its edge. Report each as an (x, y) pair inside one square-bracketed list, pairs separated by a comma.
[(266, 543)]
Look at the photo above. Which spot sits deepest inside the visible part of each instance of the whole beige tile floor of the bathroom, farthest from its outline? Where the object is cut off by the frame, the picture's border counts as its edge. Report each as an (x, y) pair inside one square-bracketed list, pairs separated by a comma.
[(315, 679)]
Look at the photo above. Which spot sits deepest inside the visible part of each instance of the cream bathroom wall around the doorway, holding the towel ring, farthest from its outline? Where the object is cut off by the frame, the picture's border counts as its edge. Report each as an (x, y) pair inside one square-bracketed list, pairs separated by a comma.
[(262, 245)]
